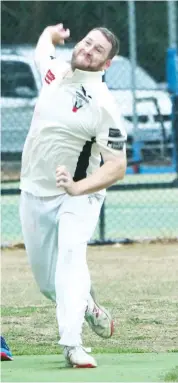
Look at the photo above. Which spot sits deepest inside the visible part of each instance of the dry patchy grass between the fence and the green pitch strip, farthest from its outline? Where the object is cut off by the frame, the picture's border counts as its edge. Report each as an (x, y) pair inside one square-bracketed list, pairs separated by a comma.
[(138, 283)]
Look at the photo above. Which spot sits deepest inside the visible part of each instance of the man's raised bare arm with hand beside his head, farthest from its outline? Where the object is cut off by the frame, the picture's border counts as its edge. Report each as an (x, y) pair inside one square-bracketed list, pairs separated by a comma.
[(45, 49)]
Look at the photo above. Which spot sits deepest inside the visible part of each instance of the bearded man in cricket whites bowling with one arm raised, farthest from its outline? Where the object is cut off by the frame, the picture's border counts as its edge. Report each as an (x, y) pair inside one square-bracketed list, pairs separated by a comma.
[(75, 122)]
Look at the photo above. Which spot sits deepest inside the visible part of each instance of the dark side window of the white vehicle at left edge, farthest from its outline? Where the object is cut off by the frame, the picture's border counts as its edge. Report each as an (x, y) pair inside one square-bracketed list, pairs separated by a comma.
[(17, 75)]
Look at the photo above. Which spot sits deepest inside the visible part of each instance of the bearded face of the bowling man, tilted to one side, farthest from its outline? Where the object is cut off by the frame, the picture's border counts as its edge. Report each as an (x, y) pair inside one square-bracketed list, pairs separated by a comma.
[(91, 53)]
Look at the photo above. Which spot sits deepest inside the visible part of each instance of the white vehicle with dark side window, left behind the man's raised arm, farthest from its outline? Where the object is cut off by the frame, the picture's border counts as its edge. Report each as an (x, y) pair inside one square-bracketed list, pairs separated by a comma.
[(20, 86)]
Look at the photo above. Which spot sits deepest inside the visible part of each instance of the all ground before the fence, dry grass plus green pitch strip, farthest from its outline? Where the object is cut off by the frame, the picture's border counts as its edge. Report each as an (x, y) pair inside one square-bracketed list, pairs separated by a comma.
[(138, 283)]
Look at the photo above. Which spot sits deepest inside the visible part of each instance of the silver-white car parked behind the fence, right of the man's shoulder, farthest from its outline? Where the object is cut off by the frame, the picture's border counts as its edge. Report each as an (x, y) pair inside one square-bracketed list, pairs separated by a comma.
[(153, 106)]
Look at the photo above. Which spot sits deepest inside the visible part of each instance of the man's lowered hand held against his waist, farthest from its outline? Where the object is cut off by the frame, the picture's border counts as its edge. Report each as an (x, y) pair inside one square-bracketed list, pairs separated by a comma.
[(64, 179)]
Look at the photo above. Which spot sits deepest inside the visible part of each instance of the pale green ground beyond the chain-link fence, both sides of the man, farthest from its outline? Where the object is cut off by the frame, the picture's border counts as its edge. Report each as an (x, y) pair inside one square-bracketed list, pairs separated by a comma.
[(128, 214)]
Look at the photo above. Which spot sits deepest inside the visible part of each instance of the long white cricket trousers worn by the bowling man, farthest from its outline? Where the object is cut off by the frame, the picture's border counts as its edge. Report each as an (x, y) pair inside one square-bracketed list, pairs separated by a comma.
[(56, 231)]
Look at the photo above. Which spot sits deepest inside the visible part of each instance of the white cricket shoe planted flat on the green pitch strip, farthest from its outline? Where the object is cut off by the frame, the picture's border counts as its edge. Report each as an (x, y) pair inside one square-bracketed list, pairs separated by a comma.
[(78, 357)]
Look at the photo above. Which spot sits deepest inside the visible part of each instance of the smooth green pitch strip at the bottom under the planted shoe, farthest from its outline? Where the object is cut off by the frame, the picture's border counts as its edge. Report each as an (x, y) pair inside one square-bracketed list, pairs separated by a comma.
[(111, 368)]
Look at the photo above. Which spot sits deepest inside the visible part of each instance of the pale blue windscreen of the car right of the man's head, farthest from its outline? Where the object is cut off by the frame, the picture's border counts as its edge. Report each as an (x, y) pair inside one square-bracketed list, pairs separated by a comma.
[(119, 76)]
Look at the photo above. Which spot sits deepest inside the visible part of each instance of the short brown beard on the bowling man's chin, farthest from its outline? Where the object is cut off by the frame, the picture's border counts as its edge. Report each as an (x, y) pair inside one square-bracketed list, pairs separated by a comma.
[(76, 63)]
